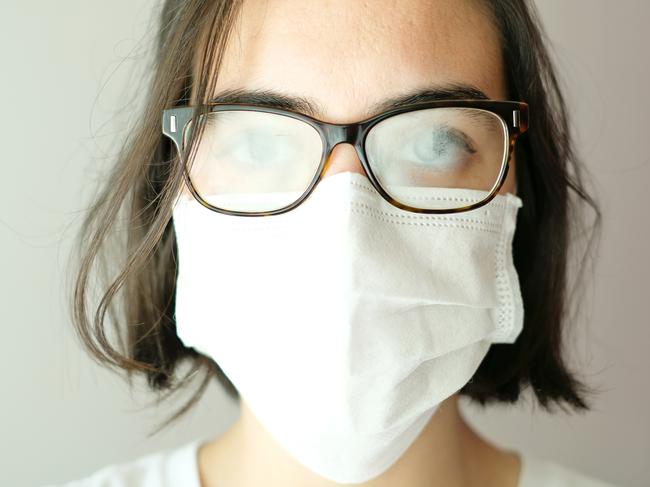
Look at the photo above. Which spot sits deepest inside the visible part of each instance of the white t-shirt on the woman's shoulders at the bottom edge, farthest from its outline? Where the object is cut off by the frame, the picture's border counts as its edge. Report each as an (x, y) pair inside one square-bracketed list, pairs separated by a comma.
[(178, 467)]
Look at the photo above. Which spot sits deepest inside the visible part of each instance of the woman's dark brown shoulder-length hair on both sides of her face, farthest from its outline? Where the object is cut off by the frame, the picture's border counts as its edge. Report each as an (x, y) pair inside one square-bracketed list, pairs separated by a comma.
[(138, 297)]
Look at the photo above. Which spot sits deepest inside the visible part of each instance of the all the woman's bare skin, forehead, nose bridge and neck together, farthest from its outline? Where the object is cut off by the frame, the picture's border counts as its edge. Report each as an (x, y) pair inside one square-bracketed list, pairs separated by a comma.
[(347, 55)]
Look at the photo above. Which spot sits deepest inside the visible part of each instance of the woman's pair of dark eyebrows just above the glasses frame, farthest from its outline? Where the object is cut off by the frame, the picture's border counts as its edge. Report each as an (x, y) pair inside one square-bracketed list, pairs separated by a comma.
[(309, 106)]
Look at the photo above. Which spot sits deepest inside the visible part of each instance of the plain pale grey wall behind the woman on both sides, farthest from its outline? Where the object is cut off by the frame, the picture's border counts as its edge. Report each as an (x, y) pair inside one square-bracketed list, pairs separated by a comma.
[(68, 85)]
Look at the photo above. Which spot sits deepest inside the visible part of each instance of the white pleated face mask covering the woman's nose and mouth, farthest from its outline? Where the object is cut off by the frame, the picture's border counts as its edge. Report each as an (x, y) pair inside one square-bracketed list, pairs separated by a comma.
[(345, 322)]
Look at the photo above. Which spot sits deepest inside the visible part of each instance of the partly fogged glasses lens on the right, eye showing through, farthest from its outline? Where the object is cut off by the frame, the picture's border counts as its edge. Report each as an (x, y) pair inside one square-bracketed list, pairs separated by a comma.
[(461, 149)]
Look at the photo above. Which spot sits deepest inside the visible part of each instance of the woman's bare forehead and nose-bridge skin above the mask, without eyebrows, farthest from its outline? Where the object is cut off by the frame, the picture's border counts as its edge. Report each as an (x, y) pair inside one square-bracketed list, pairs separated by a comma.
[(348, 56)]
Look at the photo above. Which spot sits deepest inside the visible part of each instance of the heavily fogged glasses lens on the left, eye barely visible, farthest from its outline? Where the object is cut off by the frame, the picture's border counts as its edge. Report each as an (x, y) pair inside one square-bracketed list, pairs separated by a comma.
[(253, 161)]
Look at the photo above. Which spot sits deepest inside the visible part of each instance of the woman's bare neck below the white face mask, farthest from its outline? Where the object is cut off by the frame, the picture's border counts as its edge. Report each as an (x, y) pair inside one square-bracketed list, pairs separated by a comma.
[(446, 453)]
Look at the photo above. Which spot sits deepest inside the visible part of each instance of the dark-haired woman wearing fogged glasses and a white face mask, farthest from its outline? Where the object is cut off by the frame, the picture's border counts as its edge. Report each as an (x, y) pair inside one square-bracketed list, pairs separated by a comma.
[(337, 223)]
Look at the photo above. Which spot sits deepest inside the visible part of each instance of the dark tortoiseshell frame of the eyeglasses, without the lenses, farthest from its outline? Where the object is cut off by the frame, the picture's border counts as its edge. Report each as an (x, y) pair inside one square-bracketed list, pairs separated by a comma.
[(514, 116)]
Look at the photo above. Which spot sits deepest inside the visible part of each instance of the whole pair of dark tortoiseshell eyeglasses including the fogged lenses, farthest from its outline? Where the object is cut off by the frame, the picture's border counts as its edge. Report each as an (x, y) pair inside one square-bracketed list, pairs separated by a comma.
[(255, 160)]
